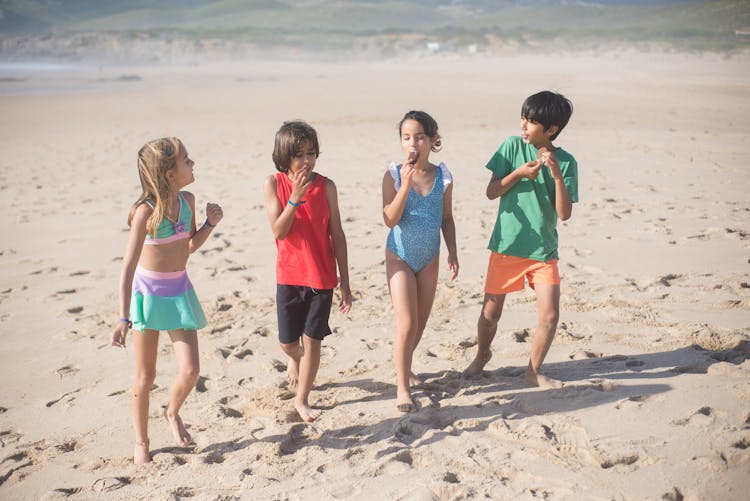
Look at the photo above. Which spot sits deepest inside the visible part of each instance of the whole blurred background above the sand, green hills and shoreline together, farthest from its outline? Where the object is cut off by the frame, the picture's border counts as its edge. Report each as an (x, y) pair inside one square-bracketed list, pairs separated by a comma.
[(177, 31)]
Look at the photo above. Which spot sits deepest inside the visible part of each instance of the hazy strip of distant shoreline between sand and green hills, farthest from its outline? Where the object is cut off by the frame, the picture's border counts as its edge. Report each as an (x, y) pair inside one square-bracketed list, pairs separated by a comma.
[(176, 48)]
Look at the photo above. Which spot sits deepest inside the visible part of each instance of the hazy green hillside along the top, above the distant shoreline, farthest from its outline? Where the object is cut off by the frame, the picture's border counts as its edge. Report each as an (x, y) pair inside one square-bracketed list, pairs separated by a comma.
[(316, 23)]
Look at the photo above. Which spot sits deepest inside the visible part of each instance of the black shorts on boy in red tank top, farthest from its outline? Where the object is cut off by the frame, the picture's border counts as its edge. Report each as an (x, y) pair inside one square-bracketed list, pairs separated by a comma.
[(302, 310)]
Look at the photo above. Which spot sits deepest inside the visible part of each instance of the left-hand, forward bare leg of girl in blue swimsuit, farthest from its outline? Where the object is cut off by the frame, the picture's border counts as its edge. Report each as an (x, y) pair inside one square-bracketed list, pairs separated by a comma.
[(403, 288)]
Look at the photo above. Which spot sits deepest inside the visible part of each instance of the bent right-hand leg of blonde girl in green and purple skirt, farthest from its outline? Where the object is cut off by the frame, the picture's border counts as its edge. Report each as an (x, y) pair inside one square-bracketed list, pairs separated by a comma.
[(185, 345)]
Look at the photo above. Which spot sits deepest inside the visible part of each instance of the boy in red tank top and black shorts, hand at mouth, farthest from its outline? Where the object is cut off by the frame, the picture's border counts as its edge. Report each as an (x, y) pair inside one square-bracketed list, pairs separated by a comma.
[(302, 207)]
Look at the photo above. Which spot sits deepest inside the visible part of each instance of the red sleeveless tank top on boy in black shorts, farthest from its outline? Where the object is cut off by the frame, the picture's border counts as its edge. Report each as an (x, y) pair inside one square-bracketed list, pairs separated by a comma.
[(305, 255)]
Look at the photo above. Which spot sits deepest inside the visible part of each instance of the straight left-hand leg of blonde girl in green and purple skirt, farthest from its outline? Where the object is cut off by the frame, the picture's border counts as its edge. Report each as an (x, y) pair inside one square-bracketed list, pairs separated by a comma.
[(146, 344)]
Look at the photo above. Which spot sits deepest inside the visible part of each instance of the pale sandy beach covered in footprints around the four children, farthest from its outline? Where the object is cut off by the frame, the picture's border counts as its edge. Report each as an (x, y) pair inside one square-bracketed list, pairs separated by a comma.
[(654, 335)]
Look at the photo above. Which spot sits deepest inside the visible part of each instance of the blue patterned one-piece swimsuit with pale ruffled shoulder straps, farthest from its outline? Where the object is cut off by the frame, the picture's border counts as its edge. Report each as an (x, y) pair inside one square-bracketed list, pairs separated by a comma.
[(416, 237)]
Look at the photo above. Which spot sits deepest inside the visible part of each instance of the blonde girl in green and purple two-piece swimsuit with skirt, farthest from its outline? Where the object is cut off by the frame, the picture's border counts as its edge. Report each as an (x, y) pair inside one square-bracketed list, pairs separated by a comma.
[(155, 291)]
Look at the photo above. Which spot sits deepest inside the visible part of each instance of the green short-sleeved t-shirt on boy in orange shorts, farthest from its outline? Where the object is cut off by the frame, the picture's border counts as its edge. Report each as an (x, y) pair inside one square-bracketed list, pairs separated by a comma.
[(526, 223)]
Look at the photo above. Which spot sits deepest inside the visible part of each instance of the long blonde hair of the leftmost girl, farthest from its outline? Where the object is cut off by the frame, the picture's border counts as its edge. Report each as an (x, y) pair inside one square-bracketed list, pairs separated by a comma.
[(155, 159)]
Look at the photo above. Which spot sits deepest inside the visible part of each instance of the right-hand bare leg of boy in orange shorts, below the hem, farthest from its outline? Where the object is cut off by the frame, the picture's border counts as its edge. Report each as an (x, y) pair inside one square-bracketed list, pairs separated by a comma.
[(548, 309)]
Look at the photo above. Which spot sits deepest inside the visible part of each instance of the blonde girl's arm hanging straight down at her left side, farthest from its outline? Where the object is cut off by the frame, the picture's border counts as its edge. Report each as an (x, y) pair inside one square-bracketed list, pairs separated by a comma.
[(132, 254)]
